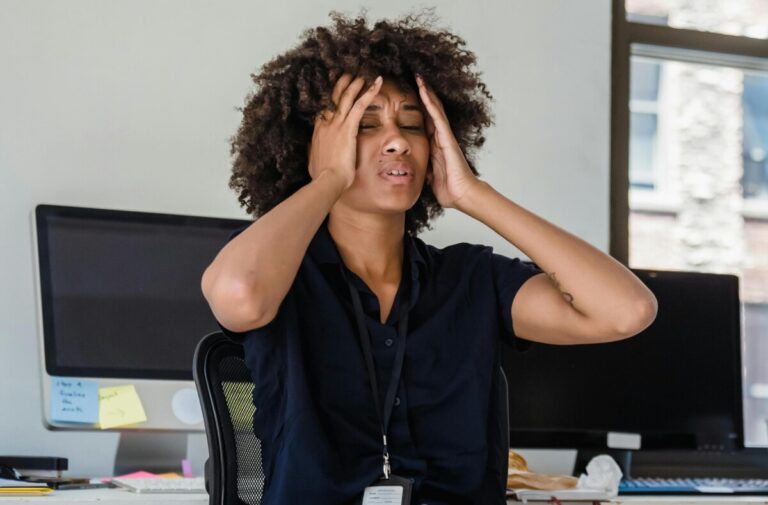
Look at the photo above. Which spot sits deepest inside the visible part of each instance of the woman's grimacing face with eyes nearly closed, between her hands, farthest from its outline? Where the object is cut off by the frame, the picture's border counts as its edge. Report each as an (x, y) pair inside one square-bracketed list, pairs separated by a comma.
[(392, 153)]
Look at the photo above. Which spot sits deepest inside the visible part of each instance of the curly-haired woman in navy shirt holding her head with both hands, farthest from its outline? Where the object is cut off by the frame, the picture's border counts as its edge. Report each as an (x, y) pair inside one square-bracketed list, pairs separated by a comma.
[(374, 354)]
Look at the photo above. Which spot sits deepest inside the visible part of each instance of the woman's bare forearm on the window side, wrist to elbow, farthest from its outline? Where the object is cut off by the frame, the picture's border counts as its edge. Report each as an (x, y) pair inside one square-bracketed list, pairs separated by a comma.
[(596, 285)]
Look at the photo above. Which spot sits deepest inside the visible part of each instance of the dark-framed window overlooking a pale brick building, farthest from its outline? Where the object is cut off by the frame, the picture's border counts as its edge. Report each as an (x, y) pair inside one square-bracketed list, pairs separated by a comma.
[(690, 156)]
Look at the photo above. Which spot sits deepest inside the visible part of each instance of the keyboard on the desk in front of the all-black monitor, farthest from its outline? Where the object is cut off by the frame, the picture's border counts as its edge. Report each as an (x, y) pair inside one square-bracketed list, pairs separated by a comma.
[(693, 486)]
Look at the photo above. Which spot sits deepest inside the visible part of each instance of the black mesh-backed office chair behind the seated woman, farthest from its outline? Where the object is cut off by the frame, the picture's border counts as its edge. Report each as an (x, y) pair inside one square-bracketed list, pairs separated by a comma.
[(233, 472)]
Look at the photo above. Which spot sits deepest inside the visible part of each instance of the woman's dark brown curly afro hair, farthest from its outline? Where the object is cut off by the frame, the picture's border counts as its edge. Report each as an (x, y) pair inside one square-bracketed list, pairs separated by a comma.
[(270, 147)]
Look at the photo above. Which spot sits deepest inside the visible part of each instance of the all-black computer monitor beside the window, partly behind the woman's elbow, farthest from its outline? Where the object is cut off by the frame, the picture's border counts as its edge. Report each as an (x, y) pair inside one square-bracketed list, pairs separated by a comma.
[(677, 384)]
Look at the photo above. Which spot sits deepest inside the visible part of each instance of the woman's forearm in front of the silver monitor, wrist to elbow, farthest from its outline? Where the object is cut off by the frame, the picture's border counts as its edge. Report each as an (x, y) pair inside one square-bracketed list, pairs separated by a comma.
[(249, 278)]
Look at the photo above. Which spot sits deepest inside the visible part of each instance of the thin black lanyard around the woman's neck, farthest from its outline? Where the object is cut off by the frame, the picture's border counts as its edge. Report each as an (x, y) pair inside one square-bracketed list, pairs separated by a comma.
[(384, 413)]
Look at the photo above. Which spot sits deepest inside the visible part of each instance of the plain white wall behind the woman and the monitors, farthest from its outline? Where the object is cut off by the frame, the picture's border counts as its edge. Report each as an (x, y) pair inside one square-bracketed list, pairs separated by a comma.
[(129, 105)]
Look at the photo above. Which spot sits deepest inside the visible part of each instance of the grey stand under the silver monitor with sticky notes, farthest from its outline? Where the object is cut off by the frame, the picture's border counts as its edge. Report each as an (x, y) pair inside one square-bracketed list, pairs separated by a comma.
[(153, 452)]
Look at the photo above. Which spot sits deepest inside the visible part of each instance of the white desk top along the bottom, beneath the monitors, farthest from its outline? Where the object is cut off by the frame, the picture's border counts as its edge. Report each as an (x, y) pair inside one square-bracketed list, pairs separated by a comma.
[(123, 497)]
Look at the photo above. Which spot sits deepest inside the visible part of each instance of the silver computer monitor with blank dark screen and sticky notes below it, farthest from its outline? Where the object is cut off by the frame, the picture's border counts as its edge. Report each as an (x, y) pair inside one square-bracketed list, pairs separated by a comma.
[(120, 304)]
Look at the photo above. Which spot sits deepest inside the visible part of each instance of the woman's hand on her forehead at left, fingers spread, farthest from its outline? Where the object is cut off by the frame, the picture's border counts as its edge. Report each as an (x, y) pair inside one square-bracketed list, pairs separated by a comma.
[(334, 140)]
